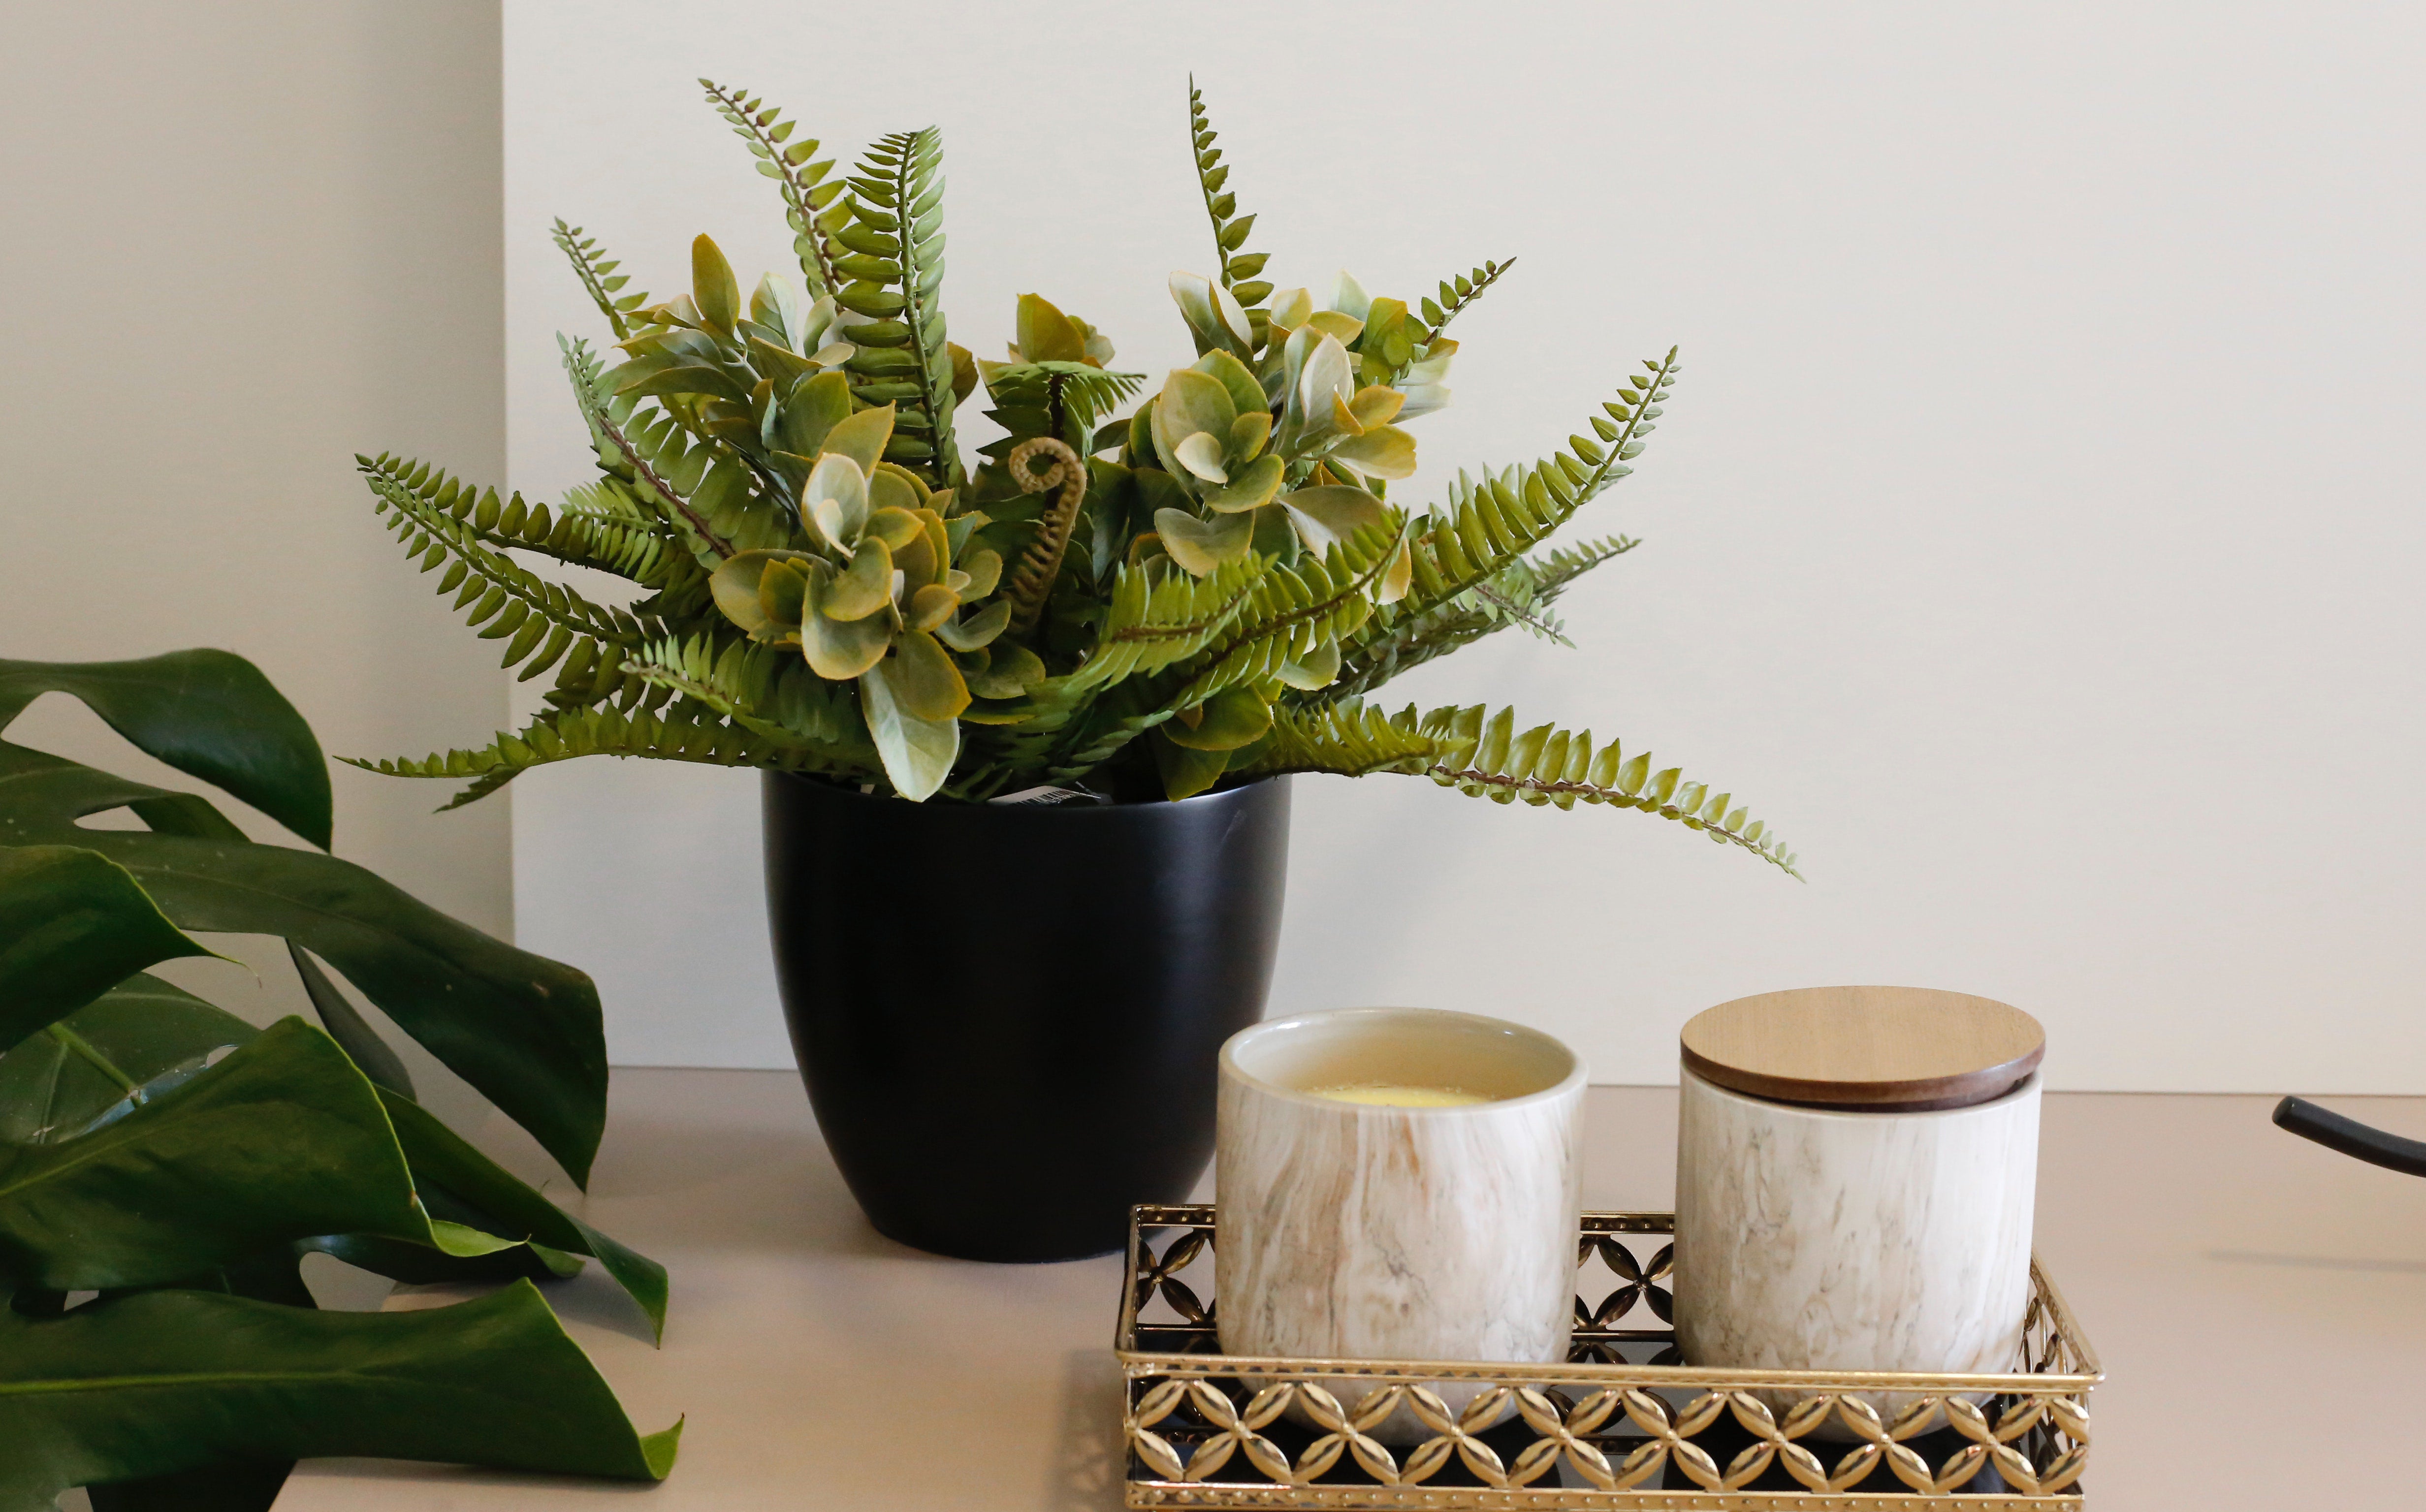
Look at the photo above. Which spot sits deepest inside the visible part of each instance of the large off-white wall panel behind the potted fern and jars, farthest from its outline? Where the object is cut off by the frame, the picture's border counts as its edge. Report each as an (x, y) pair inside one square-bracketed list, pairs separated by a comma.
[(2034, 535)]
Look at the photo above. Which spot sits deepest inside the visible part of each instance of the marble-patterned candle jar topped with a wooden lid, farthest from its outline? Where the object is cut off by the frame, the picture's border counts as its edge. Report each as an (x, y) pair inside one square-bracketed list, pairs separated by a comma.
[(1855, 1183)]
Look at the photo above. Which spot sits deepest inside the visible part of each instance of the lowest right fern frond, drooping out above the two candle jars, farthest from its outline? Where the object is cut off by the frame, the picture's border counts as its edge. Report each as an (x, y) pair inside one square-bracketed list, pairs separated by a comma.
[(1488, 758)]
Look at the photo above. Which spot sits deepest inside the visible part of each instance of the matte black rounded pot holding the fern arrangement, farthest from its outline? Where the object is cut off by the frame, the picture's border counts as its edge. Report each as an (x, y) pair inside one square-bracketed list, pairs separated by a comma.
[(1008, 1016)]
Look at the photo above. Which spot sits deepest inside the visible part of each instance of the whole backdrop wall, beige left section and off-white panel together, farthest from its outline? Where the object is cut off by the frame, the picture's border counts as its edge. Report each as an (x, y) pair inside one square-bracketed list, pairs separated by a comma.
[(2032, 540)]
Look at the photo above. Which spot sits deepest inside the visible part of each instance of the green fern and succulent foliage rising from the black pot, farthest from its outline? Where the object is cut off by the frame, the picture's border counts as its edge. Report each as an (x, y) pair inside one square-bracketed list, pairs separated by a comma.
[(1149, 603)]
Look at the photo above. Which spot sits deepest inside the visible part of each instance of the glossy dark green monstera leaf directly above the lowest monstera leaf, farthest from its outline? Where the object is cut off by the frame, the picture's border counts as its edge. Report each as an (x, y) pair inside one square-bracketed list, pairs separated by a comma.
[(166, 1193)]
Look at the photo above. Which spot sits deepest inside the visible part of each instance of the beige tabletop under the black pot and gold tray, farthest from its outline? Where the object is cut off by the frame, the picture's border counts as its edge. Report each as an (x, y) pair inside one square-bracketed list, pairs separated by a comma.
[(2260, 1307)]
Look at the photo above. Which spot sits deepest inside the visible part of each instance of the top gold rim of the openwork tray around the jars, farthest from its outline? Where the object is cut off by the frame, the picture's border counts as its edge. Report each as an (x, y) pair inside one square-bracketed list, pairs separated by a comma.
[(1158, 1363)]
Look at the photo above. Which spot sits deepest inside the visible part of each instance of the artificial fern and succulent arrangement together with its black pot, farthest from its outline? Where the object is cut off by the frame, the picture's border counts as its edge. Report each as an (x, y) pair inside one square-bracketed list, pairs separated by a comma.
[(1025, 710)]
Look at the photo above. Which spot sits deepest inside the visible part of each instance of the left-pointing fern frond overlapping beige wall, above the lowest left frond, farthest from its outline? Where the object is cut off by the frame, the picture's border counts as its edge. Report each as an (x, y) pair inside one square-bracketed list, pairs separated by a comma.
[(445, 523)]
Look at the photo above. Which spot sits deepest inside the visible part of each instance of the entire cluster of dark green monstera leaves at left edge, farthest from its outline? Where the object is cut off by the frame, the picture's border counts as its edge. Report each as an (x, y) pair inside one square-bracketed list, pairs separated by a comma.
[(166, 1166)]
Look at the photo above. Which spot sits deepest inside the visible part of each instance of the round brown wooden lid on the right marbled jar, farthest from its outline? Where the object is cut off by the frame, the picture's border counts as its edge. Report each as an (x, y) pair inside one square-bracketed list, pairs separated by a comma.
[(1889, 1050)]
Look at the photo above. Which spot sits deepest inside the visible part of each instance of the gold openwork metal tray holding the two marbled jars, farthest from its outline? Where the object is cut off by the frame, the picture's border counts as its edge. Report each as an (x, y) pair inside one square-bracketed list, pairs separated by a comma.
[(1619, 1426)]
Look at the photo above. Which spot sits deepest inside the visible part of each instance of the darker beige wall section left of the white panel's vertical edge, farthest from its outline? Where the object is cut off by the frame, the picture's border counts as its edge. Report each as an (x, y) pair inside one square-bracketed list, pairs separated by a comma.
[(239, 246)]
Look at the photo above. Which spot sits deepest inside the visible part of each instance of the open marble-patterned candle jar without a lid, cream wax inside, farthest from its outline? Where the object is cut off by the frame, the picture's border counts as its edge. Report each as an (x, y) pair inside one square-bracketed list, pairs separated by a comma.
[(1369, 1232)]
